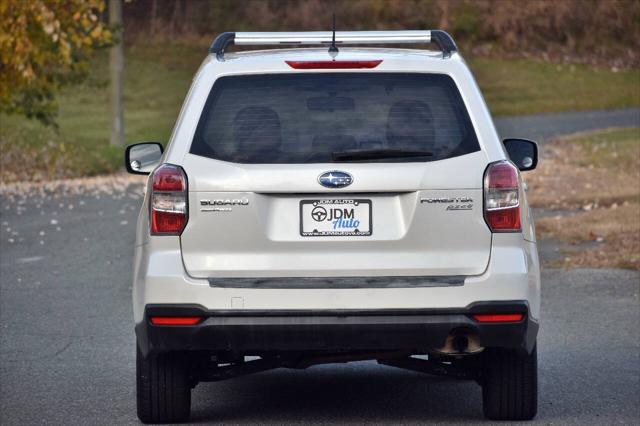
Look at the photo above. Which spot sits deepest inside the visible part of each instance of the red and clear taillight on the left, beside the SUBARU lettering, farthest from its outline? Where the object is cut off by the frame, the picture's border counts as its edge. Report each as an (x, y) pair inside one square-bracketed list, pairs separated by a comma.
[(168, 207)]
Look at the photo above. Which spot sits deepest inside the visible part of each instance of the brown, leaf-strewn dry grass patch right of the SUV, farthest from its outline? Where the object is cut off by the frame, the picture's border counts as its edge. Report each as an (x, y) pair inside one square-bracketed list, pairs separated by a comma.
[(593, 181)]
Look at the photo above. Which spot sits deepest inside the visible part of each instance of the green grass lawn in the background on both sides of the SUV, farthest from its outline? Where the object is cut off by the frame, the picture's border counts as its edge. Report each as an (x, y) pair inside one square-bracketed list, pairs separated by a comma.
[(158, 77)]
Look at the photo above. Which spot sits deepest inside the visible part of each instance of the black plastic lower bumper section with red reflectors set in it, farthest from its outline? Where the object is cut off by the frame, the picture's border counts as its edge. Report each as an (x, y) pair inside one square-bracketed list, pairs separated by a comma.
[(257, 332)]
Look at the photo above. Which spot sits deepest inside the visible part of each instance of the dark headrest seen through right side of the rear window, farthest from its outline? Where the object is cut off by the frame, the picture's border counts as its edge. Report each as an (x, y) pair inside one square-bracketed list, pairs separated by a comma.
[(410, 126)]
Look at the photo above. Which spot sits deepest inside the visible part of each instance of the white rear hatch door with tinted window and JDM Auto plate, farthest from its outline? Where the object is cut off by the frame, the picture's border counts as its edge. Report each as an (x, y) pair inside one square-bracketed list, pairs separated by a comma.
[(335, 175)]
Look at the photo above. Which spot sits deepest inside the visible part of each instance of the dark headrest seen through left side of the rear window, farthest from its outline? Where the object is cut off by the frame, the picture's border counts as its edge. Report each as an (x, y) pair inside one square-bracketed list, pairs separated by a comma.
[(257, 129)]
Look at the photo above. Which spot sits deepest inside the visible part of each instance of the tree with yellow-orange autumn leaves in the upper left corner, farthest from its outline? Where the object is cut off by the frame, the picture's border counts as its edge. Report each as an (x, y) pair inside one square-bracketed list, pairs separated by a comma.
[(44, 45)]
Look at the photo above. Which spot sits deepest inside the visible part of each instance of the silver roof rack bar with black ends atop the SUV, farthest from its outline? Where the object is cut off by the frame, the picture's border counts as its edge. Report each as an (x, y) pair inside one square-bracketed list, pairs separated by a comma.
[(441, 38)]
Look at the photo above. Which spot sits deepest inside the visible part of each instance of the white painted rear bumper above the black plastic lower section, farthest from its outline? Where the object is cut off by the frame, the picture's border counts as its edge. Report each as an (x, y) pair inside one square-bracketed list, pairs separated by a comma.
[(160, 279)]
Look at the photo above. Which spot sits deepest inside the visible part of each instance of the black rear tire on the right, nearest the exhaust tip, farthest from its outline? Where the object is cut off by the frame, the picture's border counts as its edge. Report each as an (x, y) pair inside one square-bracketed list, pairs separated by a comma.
[(510, 384)]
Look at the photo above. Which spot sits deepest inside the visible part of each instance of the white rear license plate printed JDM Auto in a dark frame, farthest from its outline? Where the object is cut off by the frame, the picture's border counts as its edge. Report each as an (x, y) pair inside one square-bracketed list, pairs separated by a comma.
[(335, 217)]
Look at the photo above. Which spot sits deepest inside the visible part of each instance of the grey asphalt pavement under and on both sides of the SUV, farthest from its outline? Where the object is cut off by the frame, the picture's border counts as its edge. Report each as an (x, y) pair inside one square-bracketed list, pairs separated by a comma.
[(67, 353)]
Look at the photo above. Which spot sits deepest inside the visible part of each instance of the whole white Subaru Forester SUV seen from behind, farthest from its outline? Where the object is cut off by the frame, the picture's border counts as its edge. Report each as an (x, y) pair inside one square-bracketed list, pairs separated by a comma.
[(335, 204)]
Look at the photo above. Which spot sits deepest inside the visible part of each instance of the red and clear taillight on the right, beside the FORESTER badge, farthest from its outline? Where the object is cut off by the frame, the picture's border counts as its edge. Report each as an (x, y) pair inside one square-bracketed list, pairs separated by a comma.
[(501, 197)]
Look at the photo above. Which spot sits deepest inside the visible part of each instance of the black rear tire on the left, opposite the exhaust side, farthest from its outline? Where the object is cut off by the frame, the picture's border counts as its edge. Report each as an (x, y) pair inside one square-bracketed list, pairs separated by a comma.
[(163, 388)]
